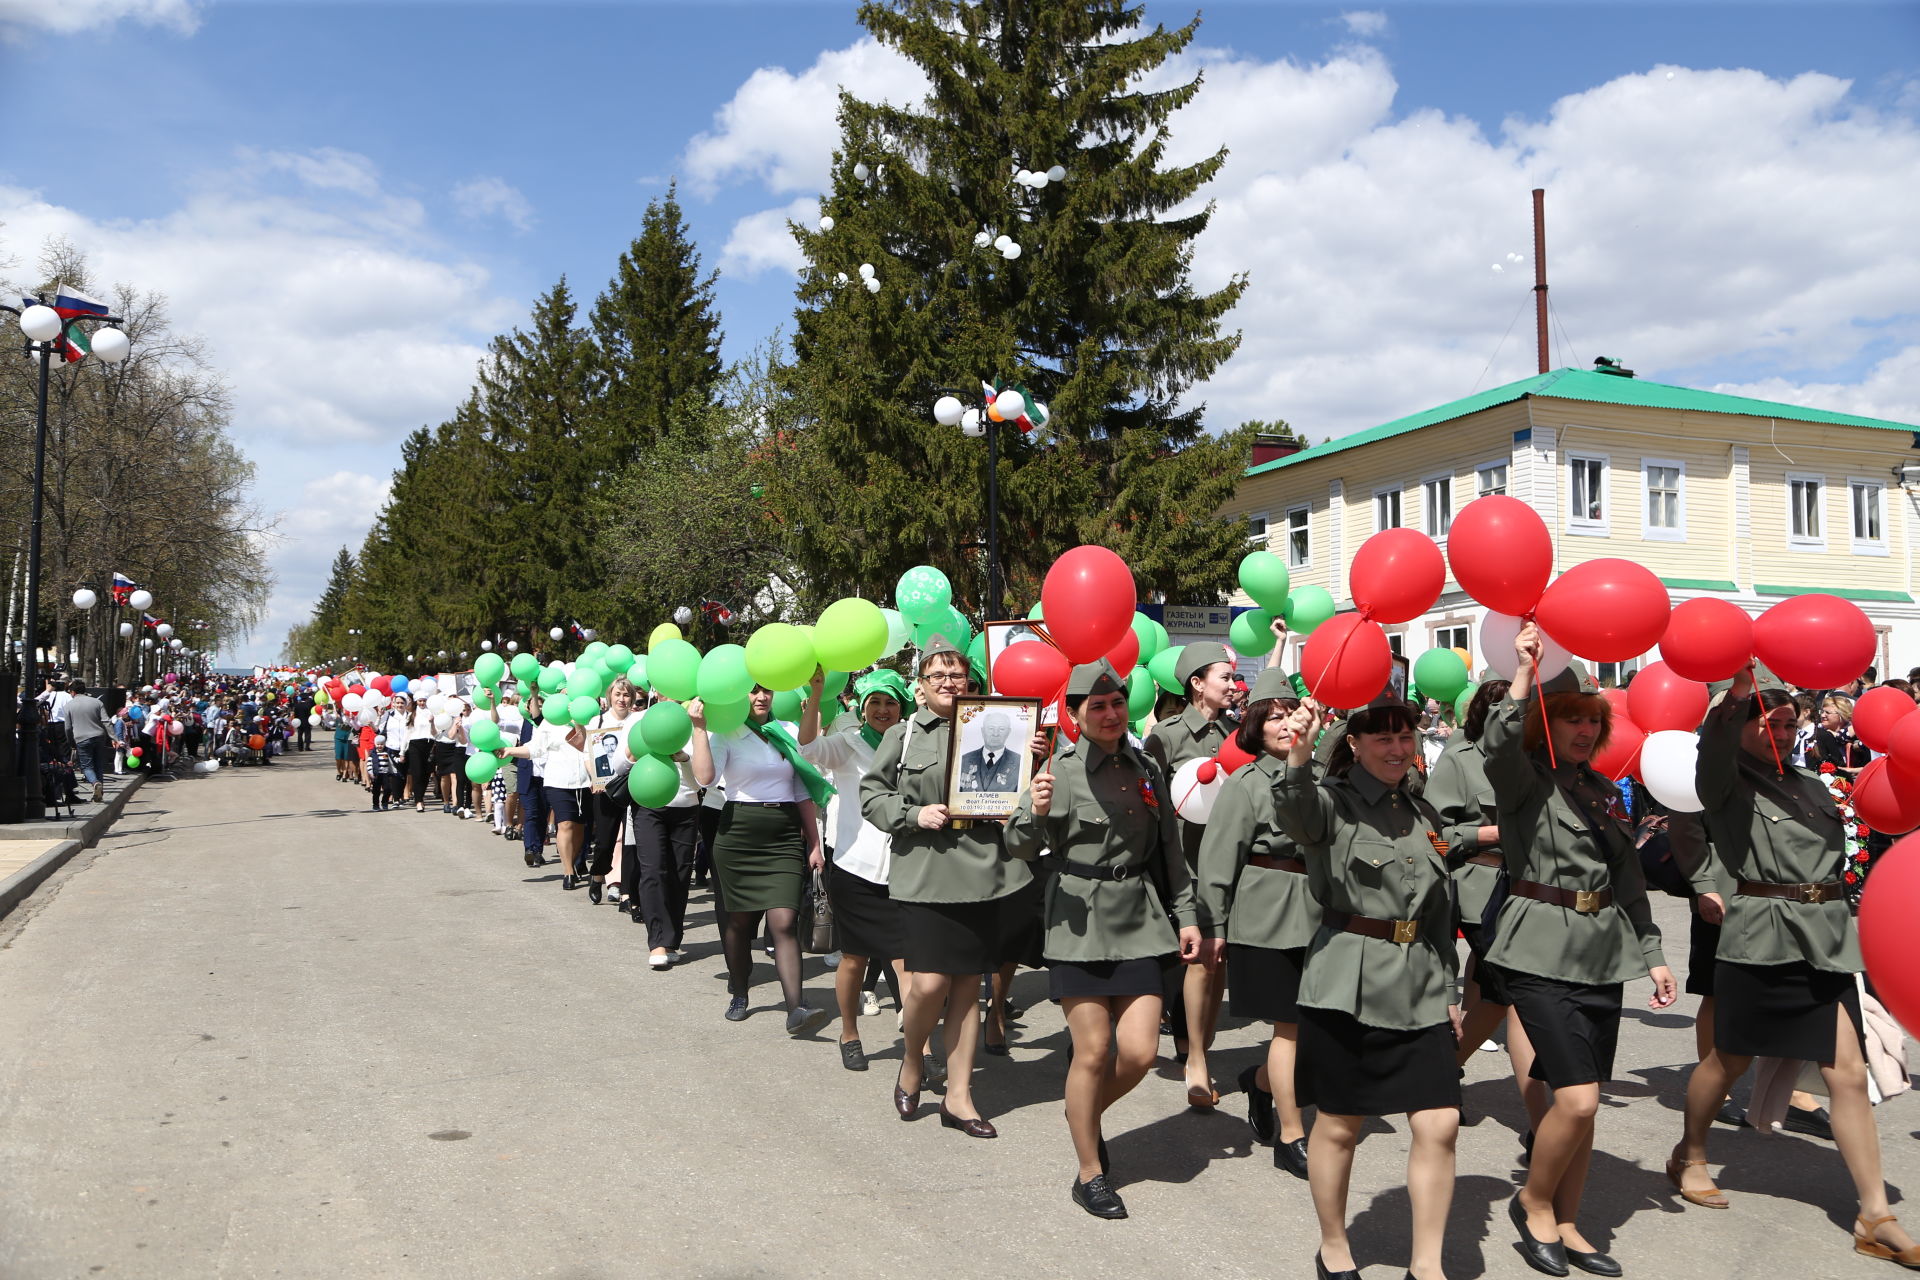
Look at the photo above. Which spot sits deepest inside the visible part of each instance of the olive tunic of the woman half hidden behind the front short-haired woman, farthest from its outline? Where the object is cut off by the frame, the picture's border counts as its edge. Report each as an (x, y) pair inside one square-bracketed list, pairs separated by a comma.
[(1241, 903)]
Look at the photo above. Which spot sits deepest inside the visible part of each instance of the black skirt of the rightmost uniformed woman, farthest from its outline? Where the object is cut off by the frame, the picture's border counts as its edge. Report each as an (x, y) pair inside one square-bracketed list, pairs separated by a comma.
[(1781, 1010)]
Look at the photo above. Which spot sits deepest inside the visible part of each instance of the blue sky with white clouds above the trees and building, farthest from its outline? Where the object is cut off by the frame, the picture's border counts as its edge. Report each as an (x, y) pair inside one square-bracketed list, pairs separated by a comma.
[(347, 201)]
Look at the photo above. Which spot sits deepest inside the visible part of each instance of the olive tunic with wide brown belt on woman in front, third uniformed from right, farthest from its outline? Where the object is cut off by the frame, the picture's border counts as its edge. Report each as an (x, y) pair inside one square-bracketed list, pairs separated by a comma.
[(1370, 853)]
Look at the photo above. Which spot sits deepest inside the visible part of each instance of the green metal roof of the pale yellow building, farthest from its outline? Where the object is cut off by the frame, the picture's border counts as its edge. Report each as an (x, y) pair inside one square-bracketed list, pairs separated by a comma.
[(1591, 387)]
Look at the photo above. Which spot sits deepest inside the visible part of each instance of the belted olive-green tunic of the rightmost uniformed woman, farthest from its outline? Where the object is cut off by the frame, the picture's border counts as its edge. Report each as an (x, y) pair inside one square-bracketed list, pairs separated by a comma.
[(1779, 832)]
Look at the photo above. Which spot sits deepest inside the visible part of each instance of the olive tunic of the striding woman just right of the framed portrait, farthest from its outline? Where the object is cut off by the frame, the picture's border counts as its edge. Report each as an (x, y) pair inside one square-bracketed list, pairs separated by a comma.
[(1109, 811)]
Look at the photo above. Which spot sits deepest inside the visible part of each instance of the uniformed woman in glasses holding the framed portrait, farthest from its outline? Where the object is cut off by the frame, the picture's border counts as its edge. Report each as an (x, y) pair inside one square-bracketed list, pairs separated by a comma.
[(949, 882)]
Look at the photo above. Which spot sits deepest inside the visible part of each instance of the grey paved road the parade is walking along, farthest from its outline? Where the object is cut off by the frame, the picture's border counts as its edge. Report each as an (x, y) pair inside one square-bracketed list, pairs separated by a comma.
[(260, 1031)]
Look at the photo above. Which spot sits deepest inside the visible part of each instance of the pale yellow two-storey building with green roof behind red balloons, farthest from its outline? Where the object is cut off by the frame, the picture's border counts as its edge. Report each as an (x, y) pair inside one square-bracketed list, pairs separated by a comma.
[(1723, 496)]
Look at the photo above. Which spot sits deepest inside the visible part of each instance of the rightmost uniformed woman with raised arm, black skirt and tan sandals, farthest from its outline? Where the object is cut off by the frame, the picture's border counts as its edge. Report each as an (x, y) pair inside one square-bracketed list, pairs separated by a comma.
[(1788, 951)]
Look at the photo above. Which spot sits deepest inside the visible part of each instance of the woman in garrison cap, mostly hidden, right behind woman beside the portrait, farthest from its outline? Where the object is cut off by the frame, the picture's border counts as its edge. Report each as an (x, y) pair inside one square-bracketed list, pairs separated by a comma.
[(1197, 734)]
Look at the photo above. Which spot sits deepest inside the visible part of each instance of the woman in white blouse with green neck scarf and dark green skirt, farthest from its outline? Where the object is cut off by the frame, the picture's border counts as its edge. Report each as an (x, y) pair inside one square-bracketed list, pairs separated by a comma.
[(769, 832)]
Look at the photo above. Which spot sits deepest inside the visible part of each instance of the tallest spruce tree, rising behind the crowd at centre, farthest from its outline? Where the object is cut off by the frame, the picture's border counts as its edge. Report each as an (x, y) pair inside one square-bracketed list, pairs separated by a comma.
[(1097, 316)]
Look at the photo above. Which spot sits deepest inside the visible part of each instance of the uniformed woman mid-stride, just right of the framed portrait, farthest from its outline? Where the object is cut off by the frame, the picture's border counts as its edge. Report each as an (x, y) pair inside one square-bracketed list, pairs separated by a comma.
[(1101, 809)]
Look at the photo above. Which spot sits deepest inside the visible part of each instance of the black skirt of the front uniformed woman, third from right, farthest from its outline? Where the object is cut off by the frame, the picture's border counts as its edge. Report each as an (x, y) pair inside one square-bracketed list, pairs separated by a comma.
[(1347, 1068)]
